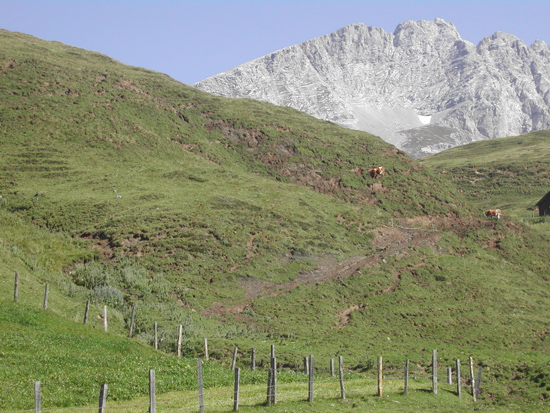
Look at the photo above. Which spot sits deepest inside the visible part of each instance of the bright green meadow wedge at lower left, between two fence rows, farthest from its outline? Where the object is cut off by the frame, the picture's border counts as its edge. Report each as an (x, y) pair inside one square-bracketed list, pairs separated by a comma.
[(72, 361)]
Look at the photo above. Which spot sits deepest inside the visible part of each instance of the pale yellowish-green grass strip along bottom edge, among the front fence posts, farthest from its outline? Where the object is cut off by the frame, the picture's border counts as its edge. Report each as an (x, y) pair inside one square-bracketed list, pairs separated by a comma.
[(361, 395)]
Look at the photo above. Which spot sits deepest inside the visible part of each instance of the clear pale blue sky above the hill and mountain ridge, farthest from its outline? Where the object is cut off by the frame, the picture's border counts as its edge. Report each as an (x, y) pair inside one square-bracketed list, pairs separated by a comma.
[(191, 40)]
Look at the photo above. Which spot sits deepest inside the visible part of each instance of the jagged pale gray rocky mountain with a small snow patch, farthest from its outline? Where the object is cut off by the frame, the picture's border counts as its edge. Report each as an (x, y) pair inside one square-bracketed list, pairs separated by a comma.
[(422, 88)]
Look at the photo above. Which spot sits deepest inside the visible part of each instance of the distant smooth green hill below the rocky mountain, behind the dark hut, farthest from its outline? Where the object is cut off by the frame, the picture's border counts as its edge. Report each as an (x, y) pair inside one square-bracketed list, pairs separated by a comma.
[(512, 174)]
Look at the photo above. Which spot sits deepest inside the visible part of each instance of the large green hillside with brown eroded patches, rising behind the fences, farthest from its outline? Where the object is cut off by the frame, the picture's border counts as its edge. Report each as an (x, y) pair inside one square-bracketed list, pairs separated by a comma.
[(251, 225)]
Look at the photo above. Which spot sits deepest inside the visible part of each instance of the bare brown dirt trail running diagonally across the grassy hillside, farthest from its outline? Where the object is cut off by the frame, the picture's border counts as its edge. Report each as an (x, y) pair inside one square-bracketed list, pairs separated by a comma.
[(388, 241)]
